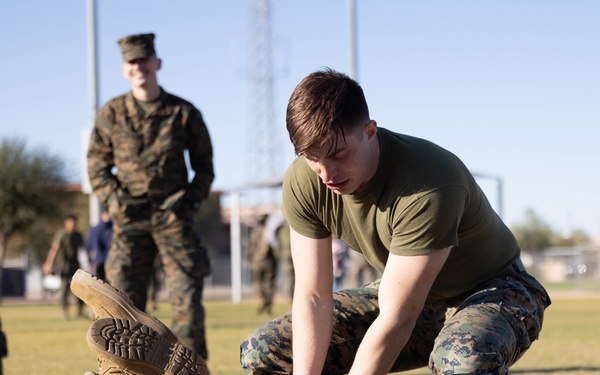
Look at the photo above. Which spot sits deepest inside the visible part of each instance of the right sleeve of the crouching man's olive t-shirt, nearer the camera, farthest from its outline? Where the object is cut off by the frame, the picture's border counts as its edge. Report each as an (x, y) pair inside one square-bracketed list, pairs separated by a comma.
[(429, 222)]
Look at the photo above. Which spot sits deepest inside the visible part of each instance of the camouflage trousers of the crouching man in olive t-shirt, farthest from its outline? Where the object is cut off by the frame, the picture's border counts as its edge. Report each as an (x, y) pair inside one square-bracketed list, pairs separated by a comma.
[(483, 332)]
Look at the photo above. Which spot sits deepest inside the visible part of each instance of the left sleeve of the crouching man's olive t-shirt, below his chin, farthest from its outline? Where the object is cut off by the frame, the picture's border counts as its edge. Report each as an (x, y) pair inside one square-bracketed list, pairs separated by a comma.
[(300, 199)]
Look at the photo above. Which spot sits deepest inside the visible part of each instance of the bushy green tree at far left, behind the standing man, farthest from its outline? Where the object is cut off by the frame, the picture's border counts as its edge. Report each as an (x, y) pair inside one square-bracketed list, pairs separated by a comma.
[(28, 177)]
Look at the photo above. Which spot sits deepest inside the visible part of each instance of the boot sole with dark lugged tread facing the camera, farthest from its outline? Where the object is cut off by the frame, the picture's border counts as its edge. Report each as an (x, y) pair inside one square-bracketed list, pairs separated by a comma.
[(140, 349)]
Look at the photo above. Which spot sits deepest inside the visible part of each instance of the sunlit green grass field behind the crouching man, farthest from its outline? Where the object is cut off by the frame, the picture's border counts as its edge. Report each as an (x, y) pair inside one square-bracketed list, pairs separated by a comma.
[(41, 342)]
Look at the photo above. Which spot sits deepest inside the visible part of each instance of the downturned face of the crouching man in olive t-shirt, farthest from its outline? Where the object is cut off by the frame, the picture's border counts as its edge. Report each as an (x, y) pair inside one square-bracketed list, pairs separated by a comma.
[(347, 168)]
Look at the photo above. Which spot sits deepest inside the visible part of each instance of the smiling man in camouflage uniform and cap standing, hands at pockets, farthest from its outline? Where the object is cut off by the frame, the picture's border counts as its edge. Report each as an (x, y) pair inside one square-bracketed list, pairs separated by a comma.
[(144, 134)]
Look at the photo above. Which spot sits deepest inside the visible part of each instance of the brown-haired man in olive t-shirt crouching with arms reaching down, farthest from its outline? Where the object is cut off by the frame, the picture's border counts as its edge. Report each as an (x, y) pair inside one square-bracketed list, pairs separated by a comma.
[(453, 296)]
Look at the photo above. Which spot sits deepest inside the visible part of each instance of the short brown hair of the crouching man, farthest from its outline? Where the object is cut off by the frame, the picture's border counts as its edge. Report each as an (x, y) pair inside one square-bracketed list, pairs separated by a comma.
[(324, 105)]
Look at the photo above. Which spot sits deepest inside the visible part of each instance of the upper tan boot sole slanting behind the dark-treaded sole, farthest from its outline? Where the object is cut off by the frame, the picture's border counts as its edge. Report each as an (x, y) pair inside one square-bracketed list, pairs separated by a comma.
[(109, 302)]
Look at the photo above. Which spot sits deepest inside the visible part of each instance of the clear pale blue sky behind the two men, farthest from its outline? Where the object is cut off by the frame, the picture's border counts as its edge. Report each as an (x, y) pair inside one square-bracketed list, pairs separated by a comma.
[(511, 87)]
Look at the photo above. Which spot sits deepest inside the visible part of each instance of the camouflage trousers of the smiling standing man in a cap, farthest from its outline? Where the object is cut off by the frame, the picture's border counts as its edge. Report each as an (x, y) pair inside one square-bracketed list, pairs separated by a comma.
[(140, 233)]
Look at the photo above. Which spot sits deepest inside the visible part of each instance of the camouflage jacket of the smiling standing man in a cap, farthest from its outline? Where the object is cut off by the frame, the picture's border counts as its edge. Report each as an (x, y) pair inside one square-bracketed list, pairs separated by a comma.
[(148, 149)]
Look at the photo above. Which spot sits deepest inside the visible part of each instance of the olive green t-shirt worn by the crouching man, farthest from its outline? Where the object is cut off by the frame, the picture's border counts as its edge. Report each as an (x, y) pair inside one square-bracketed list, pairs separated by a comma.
[(421, 199)]
